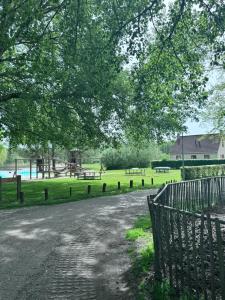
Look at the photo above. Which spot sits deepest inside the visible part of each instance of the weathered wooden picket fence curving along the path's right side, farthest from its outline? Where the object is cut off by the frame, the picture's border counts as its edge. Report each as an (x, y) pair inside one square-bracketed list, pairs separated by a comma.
[(190, 246)]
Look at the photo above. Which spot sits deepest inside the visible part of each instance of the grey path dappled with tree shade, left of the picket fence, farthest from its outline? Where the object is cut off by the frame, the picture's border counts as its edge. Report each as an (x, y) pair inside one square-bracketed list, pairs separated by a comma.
[(75, 250)]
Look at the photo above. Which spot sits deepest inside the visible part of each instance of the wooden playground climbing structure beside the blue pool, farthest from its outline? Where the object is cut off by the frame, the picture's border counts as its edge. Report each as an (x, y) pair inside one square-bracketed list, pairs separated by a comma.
[(49, 167)]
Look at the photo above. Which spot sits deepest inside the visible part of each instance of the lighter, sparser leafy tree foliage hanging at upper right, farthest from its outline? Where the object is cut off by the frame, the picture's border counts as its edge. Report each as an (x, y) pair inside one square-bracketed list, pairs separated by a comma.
[(170, 79)]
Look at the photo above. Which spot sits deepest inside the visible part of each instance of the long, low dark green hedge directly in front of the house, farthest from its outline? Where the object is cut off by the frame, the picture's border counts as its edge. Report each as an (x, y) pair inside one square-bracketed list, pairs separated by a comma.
[(177, 164)]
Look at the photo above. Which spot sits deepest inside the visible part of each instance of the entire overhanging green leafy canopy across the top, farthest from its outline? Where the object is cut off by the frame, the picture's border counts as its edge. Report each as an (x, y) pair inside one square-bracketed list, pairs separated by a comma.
[(65, 76)]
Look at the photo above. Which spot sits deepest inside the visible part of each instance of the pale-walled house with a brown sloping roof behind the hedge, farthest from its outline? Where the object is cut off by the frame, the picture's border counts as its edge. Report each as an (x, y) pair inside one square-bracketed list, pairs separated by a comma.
[(203, 146)]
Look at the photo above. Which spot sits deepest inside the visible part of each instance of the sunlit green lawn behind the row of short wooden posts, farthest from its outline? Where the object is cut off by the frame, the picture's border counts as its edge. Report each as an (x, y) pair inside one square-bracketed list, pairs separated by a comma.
[(59, 189)]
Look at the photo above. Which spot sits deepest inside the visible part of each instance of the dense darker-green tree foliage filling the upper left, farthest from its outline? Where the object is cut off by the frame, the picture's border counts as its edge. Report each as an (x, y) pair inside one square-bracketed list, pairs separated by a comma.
[(60, 63)]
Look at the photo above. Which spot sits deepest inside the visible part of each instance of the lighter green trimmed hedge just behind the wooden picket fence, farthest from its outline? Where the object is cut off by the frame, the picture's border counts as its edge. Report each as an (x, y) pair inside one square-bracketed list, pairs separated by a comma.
[(189, 173)]
